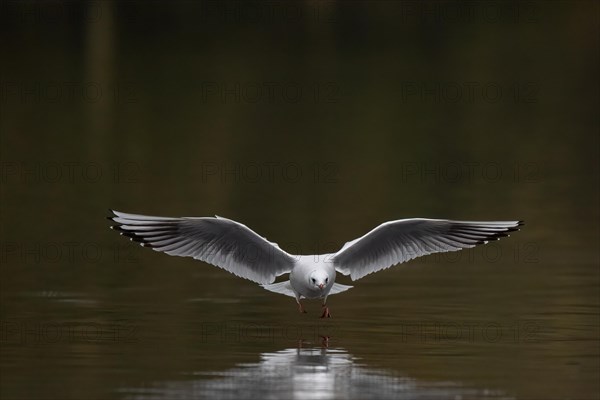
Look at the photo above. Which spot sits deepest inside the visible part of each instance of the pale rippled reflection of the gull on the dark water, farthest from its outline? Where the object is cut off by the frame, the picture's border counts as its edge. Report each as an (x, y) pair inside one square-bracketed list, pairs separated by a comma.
[(307, 373)]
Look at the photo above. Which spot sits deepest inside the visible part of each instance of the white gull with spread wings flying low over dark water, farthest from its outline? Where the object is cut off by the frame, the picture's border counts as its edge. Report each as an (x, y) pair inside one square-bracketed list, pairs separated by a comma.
[(236, 248)]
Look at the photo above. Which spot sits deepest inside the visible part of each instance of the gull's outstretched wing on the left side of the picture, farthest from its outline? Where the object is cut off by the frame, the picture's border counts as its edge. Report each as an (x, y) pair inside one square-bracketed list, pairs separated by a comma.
[(217, 241)]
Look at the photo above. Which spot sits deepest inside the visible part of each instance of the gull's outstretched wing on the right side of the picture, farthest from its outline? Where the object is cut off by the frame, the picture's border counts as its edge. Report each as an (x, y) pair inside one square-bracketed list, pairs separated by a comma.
[(396, 242)]
